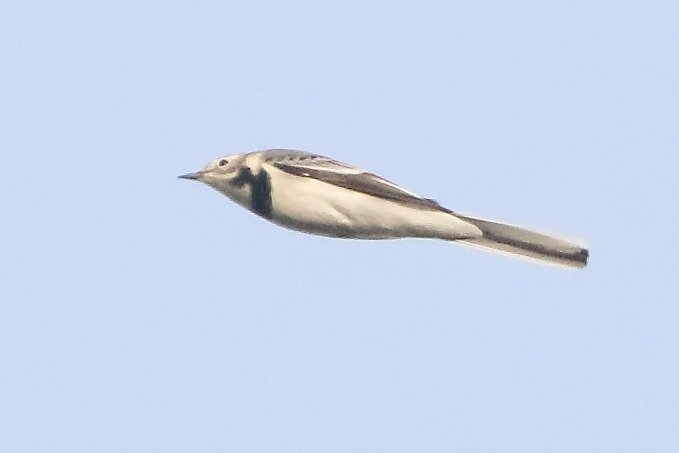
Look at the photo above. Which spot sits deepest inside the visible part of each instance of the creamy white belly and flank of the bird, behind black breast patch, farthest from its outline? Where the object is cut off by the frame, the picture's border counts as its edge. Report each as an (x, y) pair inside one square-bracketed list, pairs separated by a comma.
[(315, 207)]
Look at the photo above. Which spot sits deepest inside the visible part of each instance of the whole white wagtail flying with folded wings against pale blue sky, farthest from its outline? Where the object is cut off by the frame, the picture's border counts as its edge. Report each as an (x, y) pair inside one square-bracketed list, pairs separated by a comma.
[(318, 195)]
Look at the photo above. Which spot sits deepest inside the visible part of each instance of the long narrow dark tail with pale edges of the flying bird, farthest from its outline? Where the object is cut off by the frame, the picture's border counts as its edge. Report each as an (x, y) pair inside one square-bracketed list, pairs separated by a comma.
[(519, 241)]
